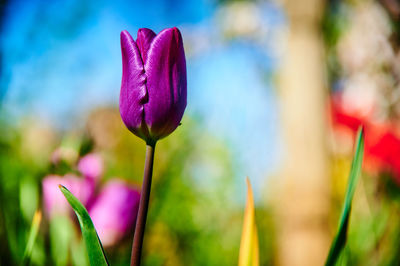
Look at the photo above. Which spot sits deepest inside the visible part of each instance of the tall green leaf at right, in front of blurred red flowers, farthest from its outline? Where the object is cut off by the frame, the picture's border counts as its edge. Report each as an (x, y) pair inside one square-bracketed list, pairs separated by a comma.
[(341, 236)]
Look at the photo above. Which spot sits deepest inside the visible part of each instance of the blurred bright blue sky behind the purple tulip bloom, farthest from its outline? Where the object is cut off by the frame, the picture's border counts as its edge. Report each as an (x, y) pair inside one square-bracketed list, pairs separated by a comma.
[(62, 59)]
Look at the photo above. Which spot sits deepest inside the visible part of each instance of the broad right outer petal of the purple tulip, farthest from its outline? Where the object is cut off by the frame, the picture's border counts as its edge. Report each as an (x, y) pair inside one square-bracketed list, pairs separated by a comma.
[(166, 83)]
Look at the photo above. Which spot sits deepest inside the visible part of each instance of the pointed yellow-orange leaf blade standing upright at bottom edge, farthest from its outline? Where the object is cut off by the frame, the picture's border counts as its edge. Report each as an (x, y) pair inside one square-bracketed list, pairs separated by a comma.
[(249, 253)]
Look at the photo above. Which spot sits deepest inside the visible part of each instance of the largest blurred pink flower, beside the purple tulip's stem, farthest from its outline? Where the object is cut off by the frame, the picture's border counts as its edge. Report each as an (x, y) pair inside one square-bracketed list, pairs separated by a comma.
[(114, 211)]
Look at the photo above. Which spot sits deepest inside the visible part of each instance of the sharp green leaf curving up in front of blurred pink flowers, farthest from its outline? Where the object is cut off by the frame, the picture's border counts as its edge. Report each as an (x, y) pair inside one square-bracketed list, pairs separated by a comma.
[(94, 248)]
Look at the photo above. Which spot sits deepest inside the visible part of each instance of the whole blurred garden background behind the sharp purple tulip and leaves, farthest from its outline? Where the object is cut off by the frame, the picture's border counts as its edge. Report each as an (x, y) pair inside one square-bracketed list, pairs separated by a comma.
[(276, 92)]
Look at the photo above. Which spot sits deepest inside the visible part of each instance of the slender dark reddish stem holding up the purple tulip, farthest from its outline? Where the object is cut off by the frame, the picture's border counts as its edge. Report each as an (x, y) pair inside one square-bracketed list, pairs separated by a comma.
[(143, 206)]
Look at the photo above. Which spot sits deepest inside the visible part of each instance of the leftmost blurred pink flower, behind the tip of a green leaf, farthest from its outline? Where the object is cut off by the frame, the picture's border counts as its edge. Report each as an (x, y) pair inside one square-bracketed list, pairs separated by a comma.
[(54, 201)]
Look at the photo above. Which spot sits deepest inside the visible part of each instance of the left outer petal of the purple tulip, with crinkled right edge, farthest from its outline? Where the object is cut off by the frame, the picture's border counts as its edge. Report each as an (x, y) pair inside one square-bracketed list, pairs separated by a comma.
[(133, 88)]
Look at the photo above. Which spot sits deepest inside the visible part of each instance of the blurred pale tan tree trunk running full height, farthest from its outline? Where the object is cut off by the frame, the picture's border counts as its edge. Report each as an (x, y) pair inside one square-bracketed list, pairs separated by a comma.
[(304, 201)]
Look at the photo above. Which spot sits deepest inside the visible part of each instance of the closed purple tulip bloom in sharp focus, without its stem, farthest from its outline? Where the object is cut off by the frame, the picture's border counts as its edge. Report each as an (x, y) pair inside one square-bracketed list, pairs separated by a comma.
[(153, 90)]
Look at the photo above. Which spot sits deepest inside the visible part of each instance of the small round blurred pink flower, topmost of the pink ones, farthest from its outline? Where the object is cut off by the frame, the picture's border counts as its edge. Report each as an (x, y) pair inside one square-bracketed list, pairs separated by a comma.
[(91, 166)]
